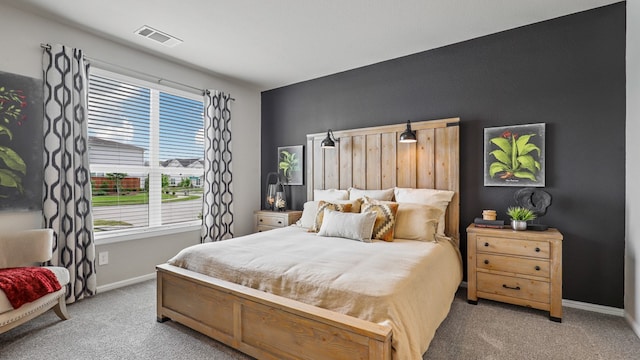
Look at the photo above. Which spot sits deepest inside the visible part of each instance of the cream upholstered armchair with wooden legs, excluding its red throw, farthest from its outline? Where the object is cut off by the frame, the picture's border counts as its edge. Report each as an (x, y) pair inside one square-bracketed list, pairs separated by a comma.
[(24, 249)]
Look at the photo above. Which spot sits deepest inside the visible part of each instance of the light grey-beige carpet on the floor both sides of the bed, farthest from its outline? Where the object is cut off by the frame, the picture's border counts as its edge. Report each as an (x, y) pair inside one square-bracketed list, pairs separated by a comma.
[(121, 324)]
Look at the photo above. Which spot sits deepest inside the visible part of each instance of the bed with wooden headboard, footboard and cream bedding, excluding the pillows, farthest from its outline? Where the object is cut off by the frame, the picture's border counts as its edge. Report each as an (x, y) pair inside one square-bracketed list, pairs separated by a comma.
[(277, 314)]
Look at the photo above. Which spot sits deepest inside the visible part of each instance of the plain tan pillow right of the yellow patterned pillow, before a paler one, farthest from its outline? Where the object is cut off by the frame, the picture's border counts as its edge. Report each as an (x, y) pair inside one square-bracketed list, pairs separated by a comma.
[(417, 221)]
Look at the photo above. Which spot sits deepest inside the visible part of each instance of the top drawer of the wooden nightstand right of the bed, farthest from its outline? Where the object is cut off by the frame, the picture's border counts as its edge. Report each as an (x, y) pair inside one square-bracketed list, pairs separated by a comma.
[(539, 249)]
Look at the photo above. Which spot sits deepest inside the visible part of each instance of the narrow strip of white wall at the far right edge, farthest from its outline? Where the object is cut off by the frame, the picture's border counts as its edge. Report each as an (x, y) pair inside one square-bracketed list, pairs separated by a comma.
[(632, 253)]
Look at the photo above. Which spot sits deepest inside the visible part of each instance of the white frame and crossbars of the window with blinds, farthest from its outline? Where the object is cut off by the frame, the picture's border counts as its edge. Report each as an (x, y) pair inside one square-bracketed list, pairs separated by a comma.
[(155, 228)]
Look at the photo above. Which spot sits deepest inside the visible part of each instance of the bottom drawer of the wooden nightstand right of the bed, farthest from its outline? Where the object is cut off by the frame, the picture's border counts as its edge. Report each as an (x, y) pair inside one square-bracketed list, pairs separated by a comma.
[(514, 287)]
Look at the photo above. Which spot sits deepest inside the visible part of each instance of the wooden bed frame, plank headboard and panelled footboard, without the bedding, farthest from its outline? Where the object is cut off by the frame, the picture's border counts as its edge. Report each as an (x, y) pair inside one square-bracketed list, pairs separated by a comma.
[(267, 326)]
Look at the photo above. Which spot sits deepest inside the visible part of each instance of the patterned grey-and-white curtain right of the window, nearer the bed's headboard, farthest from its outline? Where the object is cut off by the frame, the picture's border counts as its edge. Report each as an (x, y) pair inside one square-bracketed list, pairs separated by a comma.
[(217, 212)]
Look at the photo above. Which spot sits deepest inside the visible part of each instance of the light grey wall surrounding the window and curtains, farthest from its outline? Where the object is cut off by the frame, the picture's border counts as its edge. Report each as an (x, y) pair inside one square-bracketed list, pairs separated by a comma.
[(21, 54)]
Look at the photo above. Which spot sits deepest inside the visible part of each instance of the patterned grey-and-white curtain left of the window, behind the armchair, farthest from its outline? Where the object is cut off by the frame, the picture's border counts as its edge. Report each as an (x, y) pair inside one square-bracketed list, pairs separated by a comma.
[(67, 183)]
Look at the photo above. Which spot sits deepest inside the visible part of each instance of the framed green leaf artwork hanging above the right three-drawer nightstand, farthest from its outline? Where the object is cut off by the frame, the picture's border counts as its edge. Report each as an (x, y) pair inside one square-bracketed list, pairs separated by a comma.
[(514, 155)]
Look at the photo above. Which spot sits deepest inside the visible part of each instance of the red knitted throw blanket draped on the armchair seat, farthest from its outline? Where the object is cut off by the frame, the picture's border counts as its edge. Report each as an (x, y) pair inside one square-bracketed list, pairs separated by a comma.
[(26, 284)]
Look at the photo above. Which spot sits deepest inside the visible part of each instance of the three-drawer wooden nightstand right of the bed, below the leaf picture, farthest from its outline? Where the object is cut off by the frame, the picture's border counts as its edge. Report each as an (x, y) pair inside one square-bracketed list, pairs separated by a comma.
[(516, 267)]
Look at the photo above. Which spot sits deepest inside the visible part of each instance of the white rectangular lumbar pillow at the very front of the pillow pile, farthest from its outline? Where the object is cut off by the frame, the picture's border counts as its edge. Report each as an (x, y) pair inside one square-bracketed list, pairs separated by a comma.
[(355, 226)]
